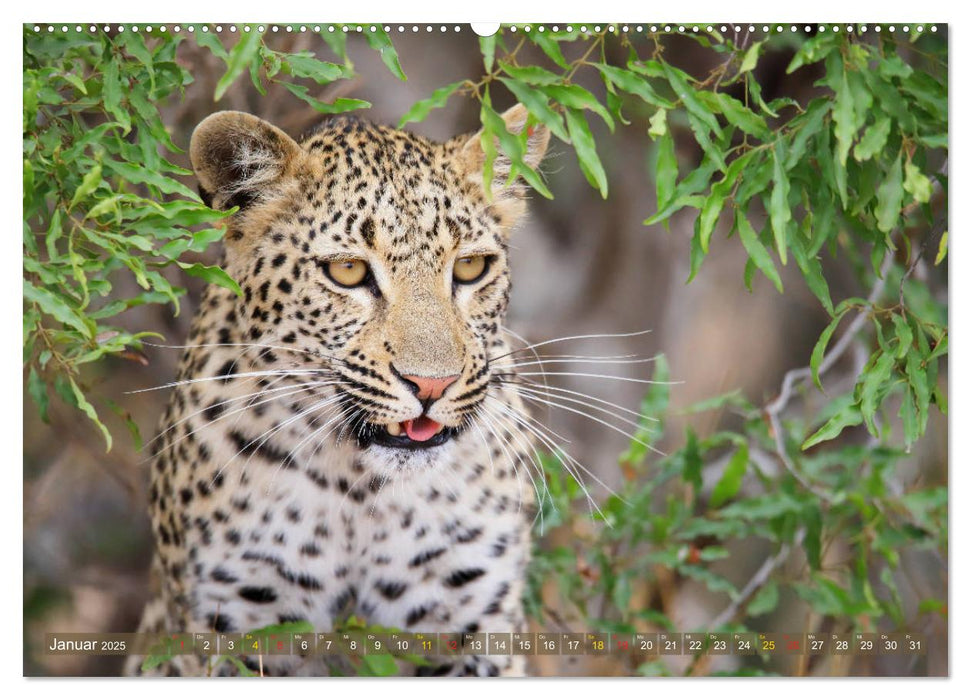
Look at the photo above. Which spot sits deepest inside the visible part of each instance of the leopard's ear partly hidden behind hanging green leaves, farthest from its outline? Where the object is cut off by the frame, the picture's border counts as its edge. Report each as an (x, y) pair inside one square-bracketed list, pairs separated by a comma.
[(507, 198)]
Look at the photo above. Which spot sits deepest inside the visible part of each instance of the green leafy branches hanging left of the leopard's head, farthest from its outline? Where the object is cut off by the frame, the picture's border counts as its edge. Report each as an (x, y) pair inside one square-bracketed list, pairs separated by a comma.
[(102, 198)]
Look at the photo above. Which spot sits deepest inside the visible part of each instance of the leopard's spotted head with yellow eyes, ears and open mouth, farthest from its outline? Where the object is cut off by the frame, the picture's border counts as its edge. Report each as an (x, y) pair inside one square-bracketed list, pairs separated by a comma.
[(376, 255)]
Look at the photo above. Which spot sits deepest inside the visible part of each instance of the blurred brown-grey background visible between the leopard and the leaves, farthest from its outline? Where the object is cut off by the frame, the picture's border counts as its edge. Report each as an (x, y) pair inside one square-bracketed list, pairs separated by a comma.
[(581, 265)]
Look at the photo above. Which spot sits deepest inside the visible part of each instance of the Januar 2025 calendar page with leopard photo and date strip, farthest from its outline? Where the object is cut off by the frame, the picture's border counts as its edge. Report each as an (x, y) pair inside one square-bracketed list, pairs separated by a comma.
[(552, 349)]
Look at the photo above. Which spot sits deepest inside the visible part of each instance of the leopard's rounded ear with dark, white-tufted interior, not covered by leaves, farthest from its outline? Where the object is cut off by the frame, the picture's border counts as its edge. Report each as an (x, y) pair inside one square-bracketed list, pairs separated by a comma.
[(238, 158)]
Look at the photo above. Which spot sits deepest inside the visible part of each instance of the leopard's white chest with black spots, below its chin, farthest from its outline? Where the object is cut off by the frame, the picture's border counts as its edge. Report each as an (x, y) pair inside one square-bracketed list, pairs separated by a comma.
[(288, 528)]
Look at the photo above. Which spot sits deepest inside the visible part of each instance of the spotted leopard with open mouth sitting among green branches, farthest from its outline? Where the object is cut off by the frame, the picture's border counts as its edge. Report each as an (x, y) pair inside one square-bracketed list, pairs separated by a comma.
[(343, 436)]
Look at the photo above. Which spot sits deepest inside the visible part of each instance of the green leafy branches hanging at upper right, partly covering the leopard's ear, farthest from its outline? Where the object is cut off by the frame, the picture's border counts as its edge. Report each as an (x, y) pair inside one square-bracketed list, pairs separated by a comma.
[(847, 173)]
